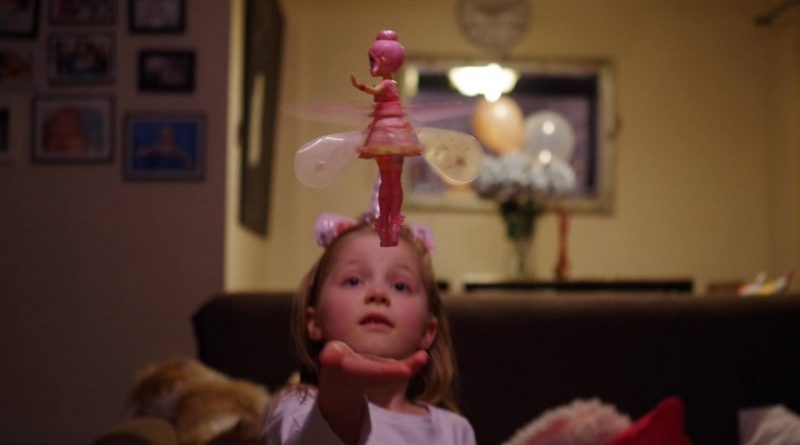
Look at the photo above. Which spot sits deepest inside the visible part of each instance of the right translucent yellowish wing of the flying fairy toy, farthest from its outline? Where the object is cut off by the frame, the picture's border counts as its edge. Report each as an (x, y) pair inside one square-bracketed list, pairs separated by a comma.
[(455, 156)]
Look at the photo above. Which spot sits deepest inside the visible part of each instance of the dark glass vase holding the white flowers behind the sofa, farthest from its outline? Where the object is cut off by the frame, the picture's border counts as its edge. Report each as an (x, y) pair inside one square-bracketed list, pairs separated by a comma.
[(520, 219)]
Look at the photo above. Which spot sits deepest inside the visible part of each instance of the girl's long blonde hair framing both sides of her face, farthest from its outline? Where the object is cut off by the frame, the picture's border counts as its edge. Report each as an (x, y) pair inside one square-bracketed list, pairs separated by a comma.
[(435, 383)]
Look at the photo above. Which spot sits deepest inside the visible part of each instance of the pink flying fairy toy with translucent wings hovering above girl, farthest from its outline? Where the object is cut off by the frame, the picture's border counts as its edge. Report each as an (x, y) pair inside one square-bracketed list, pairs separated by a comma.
[(389, 138)]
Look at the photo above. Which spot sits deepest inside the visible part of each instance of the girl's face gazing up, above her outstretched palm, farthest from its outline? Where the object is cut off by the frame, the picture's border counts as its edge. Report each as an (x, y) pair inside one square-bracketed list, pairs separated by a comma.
[(374, 300)]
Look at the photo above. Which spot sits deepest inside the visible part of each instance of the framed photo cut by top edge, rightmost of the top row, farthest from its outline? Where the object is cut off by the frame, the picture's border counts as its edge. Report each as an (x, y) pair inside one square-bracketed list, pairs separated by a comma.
[(156, 16)]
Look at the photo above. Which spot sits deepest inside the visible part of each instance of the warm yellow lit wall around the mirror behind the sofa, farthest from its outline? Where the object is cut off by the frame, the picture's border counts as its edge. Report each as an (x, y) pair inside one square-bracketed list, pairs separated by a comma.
[(706, 155)]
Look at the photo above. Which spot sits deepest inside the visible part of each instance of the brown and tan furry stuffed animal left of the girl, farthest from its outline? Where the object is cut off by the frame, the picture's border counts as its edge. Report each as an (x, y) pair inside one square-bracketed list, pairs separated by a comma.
[(201, 403)]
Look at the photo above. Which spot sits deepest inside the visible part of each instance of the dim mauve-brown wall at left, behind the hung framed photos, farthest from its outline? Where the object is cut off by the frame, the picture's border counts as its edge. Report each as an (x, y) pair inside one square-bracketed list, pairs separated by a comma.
[(98, 275)]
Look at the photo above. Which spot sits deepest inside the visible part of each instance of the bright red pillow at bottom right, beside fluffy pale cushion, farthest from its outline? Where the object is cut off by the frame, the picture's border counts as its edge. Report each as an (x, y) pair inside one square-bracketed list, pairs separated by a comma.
[(661, 426)]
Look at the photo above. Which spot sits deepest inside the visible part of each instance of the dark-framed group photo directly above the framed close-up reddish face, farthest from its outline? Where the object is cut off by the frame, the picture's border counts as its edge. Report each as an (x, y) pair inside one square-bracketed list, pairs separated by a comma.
[(80, 58)]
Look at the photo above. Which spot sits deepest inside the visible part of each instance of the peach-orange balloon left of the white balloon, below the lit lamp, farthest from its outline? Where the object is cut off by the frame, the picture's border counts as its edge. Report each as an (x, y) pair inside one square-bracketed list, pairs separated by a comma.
[(498, 125)]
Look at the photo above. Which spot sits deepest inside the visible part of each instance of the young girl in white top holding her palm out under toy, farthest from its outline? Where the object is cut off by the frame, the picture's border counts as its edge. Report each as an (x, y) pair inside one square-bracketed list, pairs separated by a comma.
[(370, 331)]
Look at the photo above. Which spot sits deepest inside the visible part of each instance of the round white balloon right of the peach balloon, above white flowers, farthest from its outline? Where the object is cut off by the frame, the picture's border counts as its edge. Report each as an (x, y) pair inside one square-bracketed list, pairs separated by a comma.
[(547, 134)]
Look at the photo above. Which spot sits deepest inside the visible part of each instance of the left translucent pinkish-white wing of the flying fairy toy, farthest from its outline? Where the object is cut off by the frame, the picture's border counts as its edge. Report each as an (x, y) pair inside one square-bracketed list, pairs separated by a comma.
[(320, 161)]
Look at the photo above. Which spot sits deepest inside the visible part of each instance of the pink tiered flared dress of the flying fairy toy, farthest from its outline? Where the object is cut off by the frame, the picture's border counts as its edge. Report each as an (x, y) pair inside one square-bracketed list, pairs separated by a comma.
[(389, 133)]
